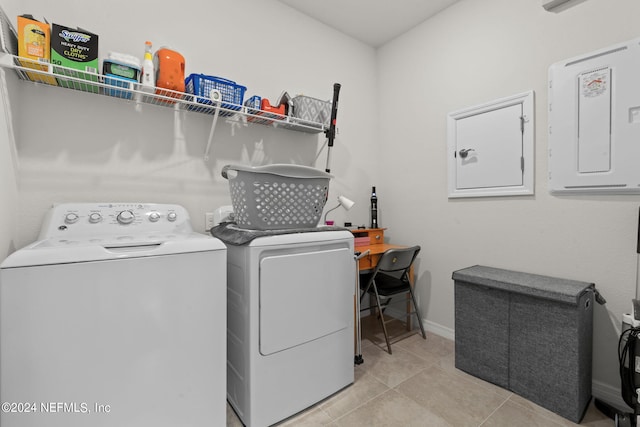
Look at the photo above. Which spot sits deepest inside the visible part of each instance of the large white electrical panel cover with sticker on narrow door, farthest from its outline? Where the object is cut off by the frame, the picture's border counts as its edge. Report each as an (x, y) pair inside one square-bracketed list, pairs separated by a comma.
[(594, 122)]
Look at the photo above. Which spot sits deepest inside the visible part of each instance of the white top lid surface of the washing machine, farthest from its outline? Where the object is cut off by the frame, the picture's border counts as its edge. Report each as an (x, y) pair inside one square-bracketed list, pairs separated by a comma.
[(65, 251)]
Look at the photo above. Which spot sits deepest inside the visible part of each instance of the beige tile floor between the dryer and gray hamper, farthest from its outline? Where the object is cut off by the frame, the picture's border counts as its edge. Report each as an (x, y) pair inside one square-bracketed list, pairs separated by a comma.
[(418, 385)]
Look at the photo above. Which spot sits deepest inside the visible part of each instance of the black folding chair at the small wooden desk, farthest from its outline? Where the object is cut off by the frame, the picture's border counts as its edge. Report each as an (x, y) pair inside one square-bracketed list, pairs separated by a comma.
[(389, 278)]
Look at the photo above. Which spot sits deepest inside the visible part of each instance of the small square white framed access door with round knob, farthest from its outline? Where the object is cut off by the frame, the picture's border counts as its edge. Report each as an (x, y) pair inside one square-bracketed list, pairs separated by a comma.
[(490, 148)]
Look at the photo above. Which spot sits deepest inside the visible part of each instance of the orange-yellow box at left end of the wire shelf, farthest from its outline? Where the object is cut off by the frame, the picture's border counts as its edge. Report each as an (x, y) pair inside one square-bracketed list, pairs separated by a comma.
[(34, 48)]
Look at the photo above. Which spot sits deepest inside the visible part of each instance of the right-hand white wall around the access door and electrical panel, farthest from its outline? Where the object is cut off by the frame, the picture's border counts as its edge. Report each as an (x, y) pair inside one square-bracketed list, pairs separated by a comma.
[(473, 52)]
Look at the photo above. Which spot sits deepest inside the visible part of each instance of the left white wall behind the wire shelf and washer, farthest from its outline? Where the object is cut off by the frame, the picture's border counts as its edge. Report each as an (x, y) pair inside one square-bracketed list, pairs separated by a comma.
[(83, 147)]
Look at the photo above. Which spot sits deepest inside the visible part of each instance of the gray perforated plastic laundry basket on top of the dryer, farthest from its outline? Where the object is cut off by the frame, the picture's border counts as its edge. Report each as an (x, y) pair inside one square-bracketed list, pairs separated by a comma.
[(277, 197)]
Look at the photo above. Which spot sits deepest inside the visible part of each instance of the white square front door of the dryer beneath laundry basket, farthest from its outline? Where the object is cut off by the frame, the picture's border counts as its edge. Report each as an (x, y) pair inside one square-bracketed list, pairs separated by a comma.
[(304, 296)]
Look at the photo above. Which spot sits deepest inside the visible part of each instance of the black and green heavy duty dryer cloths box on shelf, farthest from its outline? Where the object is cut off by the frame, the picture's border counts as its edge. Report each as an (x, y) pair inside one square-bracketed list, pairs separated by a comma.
[(75, 49)]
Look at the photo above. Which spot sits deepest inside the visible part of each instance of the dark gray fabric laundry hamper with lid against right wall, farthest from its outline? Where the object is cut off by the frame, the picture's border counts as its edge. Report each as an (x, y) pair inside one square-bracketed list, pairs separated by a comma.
[(527, 333)]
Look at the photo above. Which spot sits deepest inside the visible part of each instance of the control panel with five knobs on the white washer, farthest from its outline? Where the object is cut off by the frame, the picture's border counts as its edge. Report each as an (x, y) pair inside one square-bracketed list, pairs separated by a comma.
[(86, 220)]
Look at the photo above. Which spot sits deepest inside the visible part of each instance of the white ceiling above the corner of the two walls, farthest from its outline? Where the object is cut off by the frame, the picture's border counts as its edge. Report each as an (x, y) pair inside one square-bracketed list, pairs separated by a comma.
[(374, 22)]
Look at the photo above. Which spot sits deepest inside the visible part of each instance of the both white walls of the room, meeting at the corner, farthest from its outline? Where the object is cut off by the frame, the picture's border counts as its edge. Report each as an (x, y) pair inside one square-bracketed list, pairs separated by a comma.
[(89, 148)]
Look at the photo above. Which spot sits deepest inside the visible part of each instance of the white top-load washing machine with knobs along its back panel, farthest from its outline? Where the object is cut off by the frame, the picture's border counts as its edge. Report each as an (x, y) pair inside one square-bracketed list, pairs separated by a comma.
[(115, 317)]
